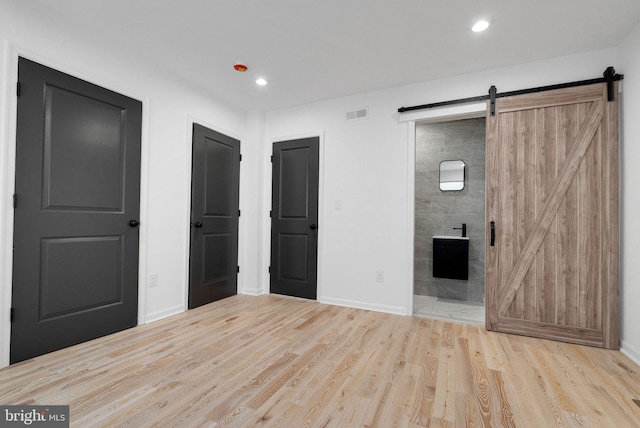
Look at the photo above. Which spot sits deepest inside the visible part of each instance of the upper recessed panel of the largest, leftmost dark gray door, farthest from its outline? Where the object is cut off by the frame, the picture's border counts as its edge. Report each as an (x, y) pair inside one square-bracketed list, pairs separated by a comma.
[(86, 133)]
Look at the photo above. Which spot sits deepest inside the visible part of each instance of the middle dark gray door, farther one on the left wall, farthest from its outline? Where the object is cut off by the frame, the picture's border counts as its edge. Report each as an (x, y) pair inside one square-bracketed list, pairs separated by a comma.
[(215, 193)]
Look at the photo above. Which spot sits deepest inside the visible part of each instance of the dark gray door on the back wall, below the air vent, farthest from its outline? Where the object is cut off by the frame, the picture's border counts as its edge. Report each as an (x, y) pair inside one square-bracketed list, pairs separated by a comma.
[(294, 218)]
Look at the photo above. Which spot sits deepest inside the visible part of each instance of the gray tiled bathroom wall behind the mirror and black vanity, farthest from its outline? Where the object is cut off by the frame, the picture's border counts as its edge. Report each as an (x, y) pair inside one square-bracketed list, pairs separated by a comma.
[(437, 212)]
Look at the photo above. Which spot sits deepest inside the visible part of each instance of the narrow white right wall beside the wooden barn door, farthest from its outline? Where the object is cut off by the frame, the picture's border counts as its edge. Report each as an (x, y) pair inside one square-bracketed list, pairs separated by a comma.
[(630, 155)]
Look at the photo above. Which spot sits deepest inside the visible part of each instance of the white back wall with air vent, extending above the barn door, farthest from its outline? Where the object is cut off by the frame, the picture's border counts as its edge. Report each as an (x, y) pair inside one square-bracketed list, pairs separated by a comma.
[(368, 166)]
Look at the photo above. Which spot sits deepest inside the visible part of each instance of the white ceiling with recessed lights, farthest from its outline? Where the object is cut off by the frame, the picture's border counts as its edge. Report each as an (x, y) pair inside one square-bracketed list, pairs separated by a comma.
[(311, 50)]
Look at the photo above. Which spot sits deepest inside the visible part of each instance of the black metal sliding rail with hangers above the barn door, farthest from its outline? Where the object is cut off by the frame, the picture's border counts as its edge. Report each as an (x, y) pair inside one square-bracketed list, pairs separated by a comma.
[(609, 77)]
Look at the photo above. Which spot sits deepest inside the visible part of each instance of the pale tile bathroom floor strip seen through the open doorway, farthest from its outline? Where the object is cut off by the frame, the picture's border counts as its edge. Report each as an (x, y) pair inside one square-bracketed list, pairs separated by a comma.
[(450, 310)]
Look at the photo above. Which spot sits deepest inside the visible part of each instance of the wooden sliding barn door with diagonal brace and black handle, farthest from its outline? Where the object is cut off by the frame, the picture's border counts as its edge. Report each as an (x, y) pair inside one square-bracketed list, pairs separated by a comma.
[(552, 208)]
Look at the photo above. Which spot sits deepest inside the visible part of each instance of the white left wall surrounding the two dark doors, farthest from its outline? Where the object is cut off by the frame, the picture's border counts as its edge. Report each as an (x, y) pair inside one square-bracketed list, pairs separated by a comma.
[(169, 108)]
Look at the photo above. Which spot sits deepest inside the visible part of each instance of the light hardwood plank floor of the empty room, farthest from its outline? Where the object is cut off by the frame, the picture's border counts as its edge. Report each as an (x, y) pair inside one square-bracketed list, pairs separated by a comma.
[(276, 361)]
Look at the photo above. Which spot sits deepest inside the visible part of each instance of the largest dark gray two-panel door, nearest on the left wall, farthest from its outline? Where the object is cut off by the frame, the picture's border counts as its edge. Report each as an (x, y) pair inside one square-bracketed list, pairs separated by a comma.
[(75, 263)]
